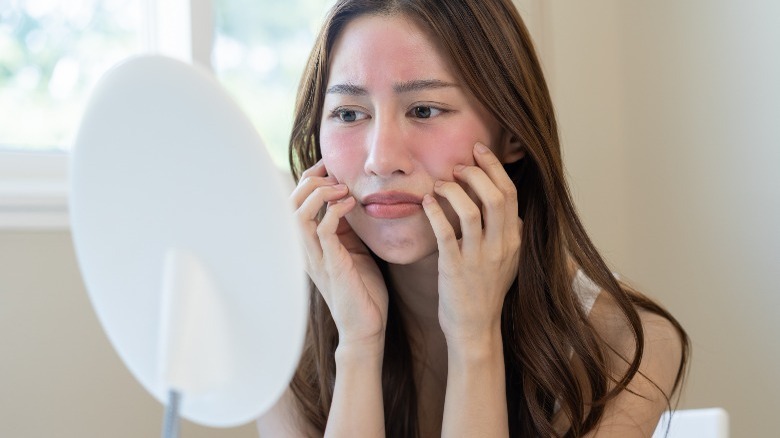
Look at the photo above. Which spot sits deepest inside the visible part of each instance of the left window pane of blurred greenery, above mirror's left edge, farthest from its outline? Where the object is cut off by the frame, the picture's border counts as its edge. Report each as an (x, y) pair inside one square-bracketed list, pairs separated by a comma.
[(53, 52)]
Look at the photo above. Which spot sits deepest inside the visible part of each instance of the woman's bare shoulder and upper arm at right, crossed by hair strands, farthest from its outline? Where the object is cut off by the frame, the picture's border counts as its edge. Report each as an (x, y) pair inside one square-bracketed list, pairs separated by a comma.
[(637, 409)]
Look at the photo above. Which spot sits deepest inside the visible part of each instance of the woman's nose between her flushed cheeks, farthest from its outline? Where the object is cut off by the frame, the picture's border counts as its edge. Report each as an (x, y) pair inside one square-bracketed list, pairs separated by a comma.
[(388, 151)]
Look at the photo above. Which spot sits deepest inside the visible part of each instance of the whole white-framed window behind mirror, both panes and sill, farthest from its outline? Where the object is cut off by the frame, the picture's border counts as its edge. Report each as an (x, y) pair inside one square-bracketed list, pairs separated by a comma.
[(55, 51)]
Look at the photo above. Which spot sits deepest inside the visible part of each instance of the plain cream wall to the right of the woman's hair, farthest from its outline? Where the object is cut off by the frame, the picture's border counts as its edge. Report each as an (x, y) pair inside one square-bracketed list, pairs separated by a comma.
[(670, 113)]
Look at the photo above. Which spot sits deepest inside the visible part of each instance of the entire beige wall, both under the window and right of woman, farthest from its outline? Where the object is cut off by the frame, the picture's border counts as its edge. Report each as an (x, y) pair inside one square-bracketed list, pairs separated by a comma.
[(670, 115)]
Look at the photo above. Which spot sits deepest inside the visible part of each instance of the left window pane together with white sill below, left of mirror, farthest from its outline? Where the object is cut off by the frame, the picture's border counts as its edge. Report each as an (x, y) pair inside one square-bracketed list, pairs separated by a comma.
[(52, 54)]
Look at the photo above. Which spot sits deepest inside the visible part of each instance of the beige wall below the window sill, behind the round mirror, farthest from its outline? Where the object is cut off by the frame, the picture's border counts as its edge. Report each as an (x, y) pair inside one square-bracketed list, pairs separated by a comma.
[(59, 376)]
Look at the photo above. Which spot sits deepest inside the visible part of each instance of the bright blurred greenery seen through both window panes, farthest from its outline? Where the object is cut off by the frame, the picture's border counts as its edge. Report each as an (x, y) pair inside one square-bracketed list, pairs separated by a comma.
[(52, 52)]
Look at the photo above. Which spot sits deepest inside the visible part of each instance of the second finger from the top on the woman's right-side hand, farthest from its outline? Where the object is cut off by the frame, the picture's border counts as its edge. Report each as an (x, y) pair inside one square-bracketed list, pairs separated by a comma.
[(492, 199)]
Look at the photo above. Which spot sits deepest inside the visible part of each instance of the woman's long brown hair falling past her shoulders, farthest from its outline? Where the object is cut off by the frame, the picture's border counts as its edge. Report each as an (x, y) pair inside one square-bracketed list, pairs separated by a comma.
[(542, 319)]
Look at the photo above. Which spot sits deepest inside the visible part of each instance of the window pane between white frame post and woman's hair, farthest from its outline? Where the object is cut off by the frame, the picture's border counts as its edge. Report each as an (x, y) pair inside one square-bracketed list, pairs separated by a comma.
[(260, 50)]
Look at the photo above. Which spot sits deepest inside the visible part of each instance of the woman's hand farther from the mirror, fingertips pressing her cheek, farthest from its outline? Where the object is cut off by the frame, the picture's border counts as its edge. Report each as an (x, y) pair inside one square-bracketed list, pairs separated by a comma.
[(475, 271)]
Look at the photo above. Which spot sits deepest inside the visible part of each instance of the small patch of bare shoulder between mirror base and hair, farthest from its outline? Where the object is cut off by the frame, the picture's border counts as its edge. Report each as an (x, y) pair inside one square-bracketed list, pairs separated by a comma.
[(284, 420)]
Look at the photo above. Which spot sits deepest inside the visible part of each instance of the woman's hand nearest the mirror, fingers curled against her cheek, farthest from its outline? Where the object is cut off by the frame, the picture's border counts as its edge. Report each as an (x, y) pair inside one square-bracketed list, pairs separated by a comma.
[(338, 262)]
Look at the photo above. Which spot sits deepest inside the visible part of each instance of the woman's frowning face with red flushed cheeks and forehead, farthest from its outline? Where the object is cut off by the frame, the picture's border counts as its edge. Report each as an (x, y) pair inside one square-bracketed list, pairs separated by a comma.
[(395, 120)]
